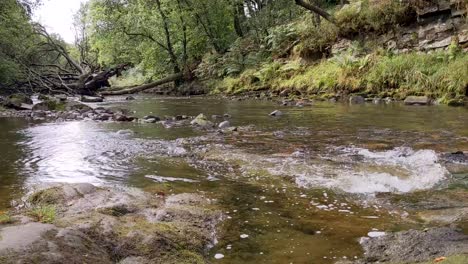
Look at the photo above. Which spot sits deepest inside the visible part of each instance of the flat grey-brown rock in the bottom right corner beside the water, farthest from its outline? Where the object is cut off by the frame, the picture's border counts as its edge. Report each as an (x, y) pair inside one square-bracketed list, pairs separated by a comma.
[(414, 246)]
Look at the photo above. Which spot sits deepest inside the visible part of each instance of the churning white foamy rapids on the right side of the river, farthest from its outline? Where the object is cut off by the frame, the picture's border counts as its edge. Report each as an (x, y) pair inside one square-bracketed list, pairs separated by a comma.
[(399, 170)]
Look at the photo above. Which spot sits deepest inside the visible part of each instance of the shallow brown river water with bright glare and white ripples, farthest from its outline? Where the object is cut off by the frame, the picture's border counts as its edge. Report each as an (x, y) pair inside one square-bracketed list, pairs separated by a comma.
[(300, 188)]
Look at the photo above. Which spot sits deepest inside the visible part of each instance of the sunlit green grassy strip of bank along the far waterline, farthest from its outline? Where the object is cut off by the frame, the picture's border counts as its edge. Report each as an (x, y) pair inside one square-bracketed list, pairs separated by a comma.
[(440, 75)]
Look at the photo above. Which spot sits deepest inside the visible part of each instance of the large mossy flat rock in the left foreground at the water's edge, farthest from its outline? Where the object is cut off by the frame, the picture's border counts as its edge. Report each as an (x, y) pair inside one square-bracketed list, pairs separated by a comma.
[(109, 225)]
